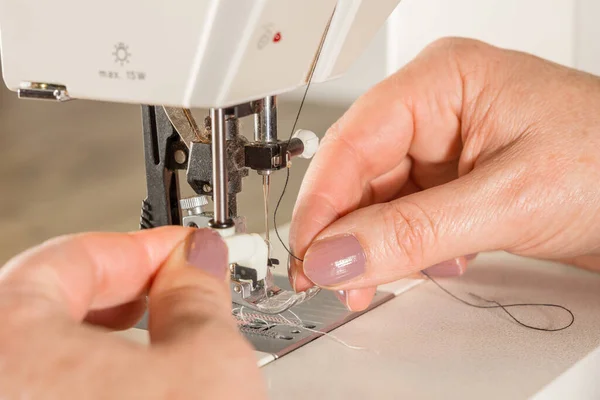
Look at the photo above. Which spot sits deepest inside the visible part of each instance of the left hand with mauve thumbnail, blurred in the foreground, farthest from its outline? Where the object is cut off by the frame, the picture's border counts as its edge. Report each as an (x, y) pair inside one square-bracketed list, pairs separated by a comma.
[(48, 351)]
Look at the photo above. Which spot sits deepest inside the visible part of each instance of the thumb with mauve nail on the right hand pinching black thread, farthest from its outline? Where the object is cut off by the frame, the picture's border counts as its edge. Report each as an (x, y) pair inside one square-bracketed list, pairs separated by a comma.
[(386, 242)]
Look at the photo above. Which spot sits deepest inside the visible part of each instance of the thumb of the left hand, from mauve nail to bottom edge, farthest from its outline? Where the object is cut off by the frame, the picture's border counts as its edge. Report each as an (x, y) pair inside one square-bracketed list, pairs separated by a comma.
[(191, 325)]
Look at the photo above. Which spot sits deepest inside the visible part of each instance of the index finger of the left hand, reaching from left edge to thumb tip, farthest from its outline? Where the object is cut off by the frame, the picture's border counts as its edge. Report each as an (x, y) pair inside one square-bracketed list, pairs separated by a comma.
[(75, 274)]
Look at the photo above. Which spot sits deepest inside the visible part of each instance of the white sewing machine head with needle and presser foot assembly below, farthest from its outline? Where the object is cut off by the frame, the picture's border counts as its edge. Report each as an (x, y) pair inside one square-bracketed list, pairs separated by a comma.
[(229, 56)]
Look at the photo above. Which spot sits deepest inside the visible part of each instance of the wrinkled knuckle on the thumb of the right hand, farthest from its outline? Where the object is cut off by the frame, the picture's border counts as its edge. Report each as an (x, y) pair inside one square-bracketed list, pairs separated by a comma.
[(413, 231)]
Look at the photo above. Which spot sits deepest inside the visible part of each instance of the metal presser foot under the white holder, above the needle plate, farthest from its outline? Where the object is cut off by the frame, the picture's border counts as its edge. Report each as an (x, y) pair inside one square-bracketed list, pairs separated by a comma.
[(266, 297)]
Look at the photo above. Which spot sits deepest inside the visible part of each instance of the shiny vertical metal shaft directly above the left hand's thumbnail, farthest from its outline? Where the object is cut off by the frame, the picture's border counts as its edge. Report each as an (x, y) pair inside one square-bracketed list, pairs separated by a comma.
[(220, 179)]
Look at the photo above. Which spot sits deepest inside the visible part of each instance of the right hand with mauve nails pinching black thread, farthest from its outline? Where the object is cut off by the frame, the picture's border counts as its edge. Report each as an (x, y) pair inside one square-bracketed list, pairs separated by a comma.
[(469, 148)]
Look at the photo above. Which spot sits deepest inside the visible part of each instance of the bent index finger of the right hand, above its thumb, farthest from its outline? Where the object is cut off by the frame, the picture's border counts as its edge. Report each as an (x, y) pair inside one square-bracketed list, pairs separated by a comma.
[(379, 131)]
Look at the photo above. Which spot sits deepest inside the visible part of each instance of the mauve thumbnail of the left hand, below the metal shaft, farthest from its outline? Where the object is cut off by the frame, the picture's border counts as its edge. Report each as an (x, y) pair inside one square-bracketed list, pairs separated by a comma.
[(207, 250)]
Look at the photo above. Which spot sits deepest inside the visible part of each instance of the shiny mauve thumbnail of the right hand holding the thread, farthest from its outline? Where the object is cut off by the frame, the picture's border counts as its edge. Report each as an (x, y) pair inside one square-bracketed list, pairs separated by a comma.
[(334, 260)]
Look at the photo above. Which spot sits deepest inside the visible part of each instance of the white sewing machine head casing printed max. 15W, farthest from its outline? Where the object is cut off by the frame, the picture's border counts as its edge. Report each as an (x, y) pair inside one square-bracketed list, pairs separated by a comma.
[(201, 53)]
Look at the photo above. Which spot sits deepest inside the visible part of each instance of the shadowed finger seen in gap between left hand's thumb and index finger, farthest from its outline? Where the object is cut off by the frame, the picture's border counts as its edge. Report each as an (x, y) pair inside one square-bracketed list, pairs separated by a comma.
[(120, 317)]
